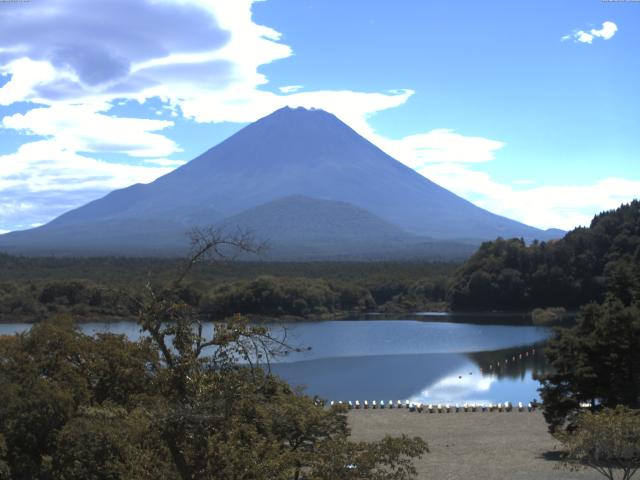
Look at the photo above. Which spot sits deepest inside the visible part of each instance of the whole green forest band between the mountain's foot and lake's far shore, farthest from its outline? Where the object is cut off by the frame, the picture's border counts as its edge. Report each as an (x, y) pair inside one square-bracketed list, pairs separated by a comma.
[(93, 288)]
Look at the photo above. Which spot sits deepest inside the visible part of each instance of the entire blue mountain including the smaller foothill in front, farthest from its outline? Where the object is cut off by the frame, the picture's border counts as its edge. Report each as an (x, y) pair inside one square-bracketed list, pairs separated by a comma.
[(302, 177)]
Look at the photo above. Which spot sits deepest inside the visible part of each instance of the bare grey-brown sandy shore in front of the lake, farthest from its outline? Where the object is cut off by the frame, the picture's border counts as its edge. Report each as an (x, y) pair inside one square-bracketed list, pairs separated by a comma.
[(473, 446)]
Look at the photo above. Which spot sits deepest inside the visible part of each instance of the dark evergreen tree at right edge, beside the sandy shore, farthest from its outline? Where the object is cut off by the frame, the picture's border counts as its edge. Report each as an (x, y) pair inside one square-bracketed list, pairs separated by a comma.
[(596, 362)]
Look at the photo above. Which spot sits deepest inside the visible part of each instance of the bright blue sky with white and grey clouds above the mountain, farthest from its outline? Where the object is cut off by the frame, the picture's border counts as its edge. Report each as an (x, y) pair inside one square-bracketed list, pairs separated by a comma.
[(529, 109)]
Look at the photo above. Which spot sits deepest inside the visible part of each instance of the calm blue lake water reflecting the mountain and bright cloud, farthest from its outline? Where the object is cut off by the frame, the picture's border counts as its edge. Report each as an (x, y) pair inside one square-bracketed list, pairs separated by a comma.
[(427, 361)]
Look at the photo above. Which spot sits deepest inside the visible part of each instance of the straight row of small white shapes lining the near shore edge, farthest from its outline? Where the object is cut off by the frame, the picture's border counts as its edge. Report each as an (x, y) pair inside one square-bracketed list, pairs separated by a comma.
[(437, 408)]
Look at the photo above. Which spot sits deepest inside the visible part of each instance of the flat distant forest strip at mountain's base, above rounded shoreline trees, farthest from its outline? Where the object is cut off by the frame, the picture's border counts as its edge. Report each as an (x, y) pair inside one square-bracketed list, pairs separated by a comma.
[(134, 271)]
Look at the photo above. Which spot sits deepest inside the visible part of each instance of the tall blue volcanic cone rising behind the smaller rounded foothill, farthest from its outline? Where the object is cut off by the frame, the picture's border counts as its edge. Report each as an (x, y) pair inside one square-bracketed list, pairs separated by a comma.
[(292, 152)]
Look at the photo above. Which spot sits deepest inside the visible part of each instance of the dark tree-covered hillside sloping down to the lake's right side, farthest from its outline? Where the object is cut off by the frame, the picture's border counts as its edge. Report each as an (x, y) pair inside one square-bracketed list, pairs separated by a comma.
[(584, 266)]
